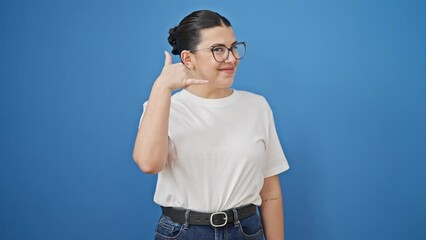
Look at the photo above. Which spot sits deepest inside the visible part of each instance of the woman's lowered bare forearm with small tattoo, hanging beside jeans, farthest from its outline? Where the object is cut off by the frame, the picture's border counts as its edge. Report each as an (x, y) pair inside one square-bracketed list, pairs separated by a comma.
[(271, 209)]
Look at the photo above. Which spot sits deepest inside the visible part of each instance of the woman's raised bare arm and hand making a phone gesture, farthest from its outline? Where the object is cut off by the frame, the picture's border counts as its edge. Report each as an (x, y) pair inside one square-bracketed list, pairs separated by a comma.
[(151, 145)]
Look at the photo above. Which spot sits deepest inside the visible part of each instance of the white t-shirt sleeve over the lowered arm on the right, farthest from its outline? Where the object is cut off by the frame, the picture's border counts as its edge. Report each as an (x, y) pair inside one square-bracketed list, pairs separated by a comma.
[(275, 162)]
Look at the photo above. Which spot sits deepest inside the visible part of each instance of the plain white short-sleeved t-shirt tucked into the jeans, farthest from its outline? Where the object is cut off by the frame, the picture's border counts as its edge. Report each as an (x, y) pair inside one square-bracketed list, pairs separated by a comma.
[(220, 151)]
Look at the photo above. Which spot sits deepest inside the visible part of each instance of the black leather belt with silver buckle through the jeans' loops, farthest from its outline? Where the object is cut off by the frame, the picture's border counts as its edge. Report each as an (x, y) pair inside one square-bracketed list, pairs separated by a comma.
[(217, 219)]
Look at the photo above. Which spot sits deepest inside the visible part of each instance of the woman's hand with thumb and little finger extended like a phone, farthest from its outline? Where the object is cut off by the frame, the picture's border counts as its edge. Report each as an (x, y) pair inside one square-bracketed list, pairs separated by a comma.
[(176, 76)]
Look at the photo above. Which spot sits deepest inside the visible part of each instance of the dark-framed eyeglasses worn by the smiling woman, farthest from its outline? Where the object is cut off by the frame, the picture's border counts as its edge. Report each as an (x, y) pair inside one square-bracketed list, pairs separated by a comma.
[(221, 52)]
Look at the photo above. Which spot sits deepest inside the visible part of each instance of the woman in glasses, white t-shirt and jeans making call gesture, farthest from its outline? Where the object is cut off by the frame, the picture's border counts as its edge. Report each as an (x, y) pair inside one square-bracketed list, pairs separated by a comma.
[(215, 149)]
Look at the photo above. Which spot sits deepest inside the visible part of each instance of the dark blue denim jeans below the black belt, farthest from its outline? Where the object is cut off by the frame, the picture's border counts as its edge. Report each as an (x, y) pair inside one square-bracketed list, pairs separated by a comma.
[(246, 229)]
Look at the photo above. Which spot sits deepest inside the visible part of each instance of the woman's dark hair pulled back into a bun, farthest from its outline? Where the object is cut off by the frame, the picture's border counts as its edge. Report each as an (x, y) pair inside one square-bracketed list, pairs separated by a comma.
[(186, 35)]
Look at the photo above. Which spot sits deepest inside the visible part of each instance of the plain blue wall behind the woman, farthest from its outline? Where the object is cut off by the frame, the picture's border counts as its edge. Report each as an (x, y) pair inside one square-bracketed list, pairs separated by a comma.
[(346, 81)]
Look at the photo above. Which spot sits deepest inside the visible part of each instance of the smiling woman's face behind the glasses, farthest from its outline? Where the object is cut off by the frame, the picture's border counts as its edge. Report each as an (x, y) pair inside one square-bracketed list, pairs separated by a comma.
[(220, 75)]
